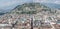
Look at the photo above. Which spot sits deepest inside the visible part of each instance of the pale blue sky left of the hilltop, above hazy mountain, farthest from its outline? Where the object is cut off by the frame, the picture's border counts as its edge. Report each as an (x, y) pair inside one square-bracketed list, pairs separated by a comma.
[(8, 3)]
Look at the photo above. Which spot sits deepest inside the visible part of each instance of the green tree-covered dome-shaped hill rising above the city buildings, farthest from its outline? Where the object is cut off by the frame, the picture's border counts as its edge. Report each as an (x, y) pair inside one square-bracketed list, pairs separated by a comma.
[(29, 8)]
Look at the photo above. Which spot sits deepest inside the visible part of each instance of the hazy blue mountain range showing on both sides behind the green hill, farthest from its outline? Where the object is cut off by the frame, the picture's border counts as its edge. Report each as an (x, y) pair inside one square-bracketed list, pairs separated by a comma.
[(50, 5)]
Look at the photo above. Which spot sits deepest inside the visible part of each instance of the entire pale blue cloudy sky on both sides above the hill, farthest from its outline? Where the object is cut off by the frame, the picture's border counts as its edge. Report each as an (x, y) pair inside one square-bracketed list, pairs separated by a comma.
[(7, 3)]
